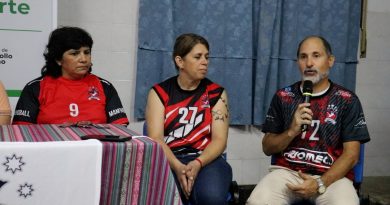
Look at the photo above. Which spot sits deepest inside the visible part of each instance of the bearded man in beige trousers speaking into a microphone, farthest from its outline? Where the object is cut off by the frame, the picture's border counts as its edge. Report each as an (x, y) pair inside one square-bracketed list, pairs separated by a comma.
[(313, 131)]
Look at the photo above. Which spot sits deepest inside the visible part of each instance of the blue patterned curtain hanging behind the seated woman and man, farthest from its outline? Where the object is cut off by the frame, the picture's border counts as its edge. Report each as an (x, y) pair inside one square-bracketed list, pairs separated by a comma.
[(252, 45)]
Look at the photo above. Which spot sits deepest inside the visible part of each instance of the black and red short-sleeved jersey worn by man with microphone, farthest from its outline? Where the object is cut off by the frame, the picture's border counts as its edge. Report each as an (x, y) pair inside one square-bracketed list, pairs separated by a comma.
[(337, 117)]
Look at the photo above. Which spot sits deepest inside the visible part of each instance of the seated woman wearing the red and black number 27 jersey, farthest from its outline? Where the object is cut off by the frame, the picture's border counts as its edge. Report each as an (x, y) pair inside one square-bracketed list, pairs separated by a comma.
[(188, 115)]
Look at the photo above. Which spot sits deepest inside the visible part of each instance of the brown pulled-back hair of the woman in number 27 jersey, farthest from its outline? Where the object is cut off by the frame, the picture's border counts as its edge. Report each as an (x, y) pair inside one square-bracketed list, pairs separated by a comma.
[(184, 44)]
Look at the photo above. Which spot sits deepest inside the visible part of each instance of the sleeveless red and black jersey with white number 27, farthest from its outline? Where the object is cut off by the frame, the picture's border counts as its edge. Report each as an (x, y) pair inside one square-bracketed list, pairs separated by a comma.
[(188, 118)]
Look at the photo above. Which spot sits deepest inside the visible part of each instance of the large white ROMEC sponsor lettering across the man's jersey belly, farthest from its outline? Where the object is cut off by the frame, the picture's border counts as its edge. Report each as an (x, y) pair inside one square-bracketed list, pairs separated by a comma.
[(306, 156)]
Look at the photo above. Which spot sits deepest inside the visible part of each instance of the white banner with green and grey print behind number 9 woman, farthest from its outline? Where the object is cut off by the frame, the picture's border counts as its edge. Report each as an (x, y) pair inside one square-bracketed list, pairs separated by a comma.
[(25, 26)]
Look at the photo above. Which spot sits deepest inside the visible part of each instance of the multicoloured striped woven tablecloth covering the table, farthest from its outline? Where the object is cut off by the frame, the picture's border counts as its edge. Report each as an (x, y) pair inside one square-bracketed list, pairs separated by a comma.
[(134, 172)]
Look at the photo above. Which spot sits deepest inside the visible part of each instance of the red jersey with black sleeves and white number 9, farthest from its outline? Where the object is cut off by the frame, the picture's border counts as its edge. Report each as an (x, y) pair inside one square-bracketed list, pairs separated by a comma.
[(48, 100)]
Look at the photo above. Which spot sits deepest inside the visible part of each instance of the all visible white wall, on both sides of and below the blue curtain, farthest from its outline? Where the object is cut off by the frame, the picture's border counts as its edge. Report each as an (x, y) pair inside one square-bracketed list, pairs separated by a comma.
[(113, 26)]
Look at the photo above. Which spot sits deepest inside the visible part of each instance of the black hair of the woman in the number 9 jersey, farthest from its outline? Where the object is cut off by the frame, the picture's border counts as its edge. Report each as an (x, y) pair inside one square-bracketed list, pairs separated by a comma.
[(61, 40)]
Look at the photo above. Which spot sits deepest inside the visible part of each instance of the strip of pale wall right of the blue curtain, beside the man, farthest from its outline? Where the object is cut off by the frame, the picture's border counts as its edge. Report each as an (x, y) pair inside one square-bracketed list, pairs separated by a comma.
[(372, 87)]
